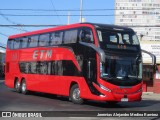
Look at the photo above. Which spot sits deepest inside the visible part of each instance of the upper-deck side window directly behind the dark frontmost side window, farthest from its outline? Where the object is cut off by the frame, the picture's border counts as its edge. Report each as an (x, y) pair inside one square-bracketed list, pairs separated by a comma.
[(70, 36)]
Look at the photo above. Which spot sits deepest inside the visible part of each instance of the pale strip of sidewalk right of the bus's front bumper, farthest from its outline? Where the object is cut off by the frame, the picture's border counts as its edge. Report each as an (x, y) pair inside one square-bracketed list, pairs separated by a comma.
[(150, 96)]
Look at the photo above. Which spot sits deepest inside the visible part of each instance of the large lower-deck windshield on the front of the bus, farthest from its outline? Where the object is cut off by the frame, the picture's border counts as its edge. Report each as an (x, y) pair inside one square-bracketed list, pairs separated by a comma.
[(117, 70)]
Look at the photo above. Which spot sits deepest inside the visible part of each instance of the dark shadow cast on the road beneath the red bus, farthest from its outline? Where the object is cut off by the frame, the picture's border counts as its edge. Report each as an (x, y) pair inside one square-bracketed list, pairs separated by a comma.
[(99, 104)]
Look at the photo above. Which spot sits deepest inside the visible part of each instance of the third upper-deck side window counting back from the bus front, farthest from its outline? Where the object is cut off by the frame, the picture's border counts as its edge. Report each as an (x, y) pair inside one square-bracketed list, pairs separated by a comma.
[(56, 38)]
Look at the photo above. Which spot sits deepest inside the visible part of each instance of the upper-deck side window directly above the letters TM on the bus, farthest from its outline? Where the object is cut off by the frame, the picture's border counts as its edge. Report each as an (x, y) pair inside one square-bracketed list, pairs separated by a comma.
[(44, 40)]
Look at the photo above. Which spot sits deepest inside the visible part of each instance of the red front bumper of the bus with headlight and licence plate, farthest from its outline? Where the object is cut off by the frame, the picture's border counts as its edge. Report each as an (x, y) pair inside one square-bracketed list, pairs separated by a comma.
[(116, 93)]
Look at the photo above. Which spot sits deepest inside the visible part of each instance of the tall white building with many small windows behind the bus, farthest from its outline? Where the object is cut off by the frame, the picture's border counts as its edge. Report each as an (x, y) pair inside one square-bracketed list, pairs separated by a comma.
[(140, 14)]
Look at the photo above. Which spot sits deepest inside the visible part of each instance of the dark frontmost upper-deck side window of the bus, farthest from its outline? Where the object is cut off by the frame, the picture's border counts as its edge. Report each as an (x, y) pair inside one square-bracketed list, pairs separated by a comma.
[(86, 35)]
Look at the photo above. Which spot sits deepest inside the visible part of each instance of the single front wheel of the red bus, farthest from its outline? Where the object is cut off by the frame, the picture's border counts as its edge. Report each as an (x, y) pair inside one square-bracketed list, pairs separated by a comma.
[(75, 95)]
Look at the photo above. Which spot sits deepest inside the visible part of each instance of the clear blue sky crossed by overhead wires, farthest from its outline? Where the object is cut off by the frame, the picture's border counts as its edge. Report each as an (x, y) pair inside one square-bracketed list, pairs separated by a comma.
[(57, 19)]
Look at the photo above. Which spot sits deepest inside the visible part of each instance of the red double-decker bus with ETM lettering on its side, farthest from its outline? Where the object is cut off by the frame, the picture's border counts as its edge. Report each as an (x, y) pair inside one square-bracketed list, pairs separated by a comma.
[(85, 61)]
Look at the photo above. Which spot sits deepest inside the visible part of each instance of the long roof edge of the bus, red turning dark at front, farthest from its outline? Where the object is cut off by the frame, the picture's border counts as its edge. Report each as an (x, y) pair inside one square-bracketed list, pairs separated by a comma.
[(97, 25)]
